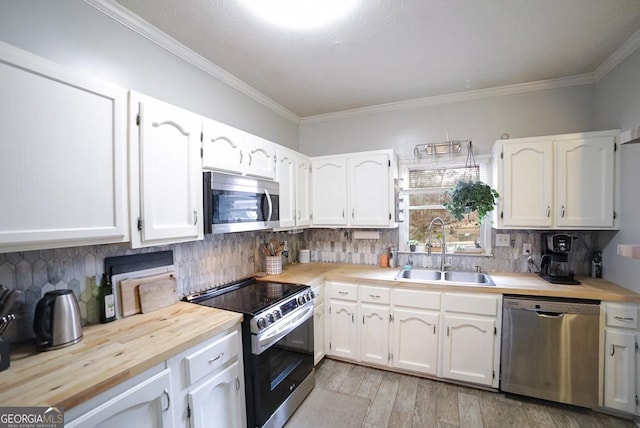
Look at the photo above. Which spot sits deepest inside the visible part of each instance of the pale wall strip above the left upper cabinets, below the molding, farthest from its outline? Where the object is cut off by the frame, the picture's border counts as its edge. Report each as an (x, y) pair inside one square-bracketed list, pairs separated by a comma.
[(74, 34)]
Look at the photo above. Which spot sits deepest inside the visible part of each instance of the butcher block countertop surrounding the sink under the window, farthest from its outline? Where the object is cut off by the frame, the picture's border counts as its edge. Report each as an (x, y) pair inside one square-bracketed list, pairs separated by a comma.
[(506, 283)]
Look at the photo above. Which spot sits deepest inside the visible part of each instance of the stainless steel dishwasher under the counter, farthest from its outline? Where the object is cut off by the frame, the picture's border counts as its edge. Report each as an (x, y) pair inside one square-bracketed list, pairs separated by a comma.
[(550, 349)]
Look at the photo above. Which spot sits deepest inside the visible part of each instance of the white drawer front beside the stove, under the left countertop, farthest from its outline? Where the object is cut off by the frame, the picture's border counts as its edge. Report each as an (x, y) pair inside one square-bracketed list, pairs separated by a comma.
[(212, 357)]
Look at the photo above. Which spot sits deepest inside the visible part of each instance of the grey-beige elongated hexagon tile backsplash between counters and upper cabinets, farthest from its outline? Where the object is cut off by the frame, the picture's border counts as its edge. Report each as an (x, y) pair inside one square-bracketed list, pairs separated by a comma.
[(220, 259)]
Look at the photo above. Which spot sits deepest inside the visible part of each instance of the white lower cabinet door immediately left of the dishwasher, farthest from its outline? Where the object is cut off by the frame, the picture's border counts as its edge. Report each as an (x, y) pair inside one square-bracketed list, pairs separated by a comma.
[(468, 349)]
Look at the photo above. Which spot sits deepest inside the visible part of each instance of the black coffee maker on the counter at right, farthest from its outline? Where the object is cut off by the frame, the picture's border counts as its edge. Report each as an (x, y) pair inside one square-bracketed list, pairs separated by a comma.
[(554, 267)]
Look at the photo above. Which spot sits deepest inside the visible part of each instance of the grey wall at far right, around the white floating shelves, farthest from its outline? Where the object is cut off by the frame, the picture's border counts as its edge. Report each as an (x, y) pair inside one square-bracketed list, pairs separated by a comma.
[(617, 101)]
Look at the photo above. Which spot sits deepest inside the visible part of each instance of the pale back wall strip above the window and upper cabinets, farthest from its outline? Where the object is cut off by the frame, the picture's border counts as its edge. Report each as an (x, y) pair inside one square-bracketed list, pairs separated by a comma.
[(483, 121)]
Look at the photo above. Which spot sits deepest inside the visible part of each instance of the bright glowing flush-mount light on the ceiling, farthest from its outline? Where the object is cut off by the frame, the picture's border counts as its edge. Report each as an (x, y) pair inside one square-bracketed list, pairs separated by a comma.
[(300, 14)]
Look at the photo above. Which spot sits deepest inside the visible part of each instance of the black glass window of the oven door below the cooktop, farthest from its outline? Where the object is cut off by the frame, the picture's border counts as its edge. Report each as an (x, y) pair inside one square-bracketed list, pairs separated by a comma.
[(281, 368)]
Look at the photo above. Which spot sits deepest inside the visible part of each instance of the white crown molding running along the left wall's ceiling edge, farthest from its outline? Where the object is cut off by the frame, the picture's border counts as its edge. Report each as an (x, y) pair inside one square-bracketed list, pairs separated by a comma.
[(125, 17)]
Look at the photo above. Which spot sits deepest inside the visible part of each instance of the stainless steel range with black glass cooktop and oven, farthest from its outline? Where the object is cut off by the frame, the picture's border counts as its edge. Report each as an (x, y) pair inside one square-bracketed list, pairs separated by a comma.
[(277, 338)]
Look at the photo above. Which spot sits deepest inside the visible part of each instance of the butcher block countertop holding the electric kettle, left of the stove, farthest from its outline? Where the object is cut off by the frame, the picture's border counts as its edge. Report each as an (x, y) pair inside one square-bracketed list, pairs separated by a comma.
[(107, 355)]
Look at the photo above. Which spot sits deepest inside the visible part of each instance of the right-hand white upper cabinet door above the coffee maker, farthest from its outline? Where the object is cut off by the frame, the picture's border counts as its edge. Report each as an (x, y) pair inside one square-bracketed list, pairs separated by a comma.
[(585, 182)]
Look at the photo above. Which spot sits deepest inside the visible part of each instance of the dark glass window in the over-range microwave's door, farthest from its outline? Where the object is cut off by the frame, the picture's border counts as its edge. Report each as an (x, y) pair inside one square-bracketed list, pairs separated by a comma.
[(236, 207)]
